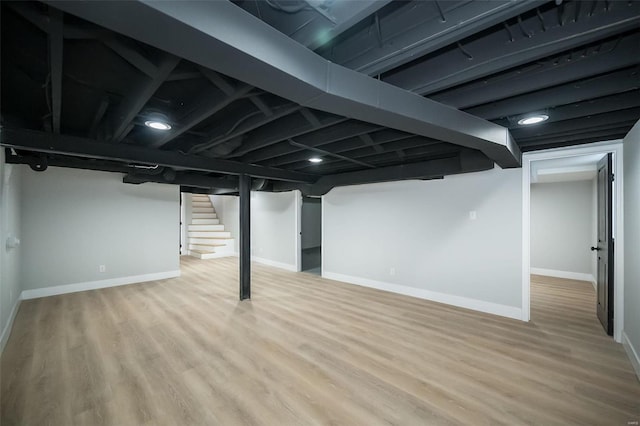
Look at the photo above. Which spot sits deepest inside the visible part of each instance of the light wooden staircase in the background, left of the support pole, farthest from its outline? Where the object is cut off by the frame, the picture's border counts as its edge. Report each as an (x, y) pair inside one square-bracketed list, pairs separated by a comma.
[(207, 237)]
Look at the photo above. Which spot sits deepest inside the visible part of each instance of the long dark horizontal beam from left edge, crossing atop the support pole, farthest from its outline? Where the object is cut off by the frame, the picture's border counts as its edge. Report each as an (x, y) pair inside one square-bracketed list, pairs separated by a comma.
[(33, 140)]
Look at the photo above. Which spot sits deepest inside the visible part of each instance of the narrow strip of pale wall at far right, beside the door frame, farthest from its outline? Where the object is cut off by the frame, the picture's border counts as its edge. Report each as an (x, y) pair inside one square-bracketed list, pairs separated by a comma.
[(631, 337)]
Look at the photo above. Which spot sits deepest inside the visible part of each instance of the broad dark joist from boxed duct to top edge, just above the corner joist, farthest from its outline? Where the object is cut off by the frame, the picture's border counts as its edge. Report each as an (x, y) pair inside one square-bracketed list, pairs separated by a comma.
[(419, 33)]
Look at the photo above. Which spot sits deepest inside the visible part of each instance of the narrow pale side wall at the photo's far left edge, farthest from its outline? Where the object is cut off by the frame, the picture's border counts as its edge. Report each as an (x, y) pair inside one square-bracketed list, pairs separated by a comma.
[(10, 288)]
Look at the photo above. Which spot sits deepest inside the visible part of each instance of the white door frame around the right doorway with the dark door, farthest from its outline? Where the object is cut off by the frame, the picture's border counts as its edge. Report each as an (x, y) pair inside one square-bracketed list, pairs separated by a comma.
[(615, 147)]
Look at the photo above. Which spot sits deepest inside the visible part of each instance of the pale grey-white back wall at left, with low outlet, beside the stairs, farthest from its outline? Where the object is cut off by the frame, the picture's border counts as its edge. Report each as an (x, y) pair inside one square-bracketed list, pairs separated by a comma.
[(75, 220)]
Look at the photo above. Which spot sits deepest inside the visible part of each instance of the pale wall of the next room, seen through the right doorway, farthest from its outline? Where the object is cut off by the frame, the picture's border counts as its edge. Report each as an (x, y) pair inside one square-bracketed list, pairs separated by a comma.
[(562, 227)]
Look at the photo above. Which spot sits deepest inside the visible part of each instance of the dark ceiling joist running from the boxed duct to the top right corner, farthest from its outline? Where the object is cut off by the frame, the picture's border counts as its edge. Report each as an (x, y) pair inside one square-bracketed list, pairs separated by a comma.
[(496, 52)]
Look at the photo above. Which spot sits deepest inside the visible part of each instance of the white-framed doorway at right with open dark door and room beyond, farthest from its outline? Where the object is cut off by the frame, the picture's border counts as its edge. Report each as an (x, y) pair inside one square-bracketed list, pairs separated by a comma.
[(573, 229)]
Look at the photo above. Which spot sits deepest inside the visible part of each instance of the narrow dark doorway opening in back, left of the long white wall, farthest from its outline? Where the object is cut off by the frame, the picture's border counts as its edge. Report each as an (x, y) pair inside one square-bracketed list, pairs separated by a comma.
[(311, 235)]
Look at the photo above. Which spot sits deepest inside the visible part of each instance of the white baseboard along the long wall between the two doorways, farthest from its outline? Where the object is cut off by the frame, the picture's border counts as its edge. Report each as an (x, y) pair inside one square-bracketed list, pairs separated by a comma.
[(449, 299)]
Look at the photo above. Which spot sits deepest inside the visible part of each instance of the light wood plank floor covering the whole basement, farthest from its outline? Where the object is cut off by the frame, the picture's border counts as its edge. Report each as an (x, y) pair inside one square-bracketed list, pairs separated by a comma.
[(308, 351)]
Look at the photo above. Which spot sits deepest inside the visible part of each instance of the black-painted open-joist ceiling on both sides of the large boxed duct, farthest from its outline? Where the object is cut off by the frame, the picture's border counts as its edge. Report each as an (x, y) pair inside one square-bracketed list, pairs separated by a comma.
[(76, 94)]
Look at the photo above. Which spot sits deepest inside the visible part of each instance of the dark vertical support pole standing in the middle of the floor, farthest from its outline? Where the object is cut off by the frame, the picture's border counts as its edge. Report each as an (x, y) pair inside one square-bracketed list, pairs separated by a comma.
[(245, 237)]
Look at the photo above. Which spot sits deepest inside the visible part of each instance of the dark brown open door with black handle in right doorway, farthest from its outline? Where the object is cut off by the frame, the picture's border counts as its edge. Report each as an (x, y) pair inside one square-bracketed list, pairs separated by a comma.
[(605, 244)]
